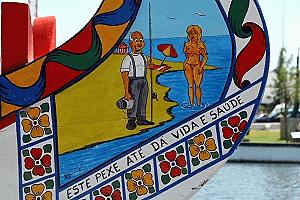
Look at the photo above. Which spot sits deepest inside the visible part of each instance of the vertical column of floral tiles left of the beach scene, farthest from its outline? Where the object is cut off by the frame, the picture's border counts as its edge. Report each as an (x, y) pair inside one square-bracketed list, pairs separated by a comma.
[(37, 151)]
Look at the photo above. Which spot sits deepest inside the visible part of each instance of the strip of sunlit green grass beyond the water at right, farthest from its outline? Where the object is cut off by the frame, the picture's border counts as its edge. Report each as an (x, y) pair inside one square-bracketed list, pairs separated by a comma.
[(264, 136)]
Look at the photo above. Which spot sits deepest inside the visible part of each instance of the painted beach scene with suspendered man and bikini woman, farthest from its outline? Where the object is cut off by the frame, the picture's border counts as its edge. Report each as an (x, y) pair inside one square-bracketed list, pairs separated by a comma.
[(173, 82)]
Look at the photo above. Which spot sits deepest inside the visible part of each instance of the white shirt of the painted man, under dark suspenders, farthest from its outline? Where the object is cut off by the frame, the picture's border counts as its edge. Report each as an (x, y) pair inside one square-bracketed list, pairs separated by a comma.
[(127, 65)]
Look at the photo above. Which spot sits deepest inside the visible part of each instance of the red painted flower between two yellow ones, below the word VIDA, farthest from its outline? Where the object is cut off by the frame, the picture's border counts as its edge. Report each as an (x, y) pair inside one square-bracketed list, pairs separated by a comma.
[(174, 164)]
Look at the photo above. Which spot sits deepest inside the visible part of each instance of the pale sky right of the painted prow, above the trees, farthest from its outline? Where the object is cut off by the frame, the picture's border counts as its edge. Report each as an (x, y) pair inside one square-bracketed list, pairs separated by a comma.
[(274, 12)]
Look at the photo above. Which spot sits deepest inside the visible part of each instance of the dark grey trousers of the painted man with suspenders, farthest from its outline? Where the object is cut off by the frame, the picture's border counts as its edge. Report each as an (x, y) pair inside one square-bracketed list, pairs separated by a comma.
[(139, 91)]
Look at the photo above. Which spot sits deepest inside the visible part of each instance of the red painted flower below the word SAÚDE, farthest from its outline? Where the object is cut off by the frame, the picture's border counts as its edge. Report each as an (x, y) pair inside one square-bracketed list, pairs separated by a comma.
[(235, 128)]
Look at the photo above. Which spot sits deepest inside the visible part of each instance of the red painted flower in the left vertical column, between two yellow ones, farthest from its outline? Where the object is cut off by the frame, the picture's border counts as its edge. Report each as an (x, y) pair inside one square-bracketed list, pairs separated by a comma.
[(36, 162)]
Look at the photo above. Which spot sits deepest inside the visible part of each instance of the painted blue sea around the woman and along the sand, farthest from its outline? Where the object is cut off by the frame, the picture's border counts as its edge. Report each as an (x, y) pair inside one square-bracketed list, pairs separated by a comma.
[(219, 53)]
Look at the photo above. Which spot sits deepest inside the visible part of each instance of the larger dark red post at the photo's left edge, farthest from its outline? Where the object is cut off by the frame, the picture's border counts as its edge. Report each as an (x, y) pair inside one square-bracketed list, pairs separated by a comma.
[(16, 36)]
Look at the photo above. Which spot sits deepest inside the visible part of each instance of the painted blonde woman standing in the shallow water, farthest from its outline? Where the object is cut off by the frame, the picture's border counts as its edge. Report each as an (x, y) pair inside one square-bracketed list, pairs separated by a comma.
[(194, 50)]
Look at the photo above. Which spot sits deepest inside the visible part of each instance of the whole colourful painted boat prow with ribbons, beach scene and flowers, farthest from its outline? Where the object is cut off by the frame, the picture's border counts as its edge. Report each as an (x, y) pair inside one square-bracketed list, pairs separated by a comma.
[(149, 100)]
